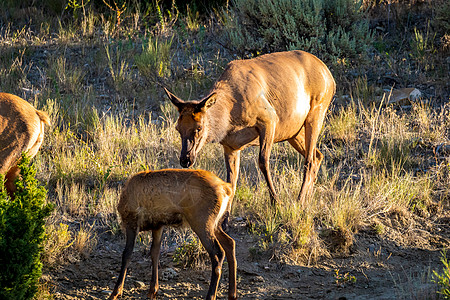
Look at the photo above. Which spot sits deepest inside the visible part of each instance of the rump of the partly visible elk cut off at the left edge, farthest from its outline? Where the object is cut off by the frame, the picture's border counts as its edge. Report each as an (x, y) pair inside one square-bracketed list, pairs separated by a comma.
[(21, 130)]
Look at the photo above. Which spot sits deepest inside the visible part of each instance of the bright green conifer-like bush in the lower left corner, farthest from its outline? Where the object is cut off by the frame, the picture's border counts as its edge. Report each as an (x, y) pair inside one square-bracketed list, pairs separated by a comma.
[(21, 235)]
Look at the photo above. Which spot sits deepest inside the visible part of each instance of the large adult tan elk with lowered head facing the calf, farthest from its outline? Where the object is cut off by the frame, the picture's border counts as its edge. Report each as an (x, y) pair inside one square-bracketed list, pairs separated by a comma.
[(269, 99)]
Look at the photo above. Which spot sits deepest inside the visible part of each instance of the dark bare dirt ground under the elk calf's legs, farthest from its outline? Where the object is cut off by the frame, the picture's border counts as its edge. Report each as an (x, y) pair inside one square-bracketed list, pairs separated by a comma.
[(384, 268)]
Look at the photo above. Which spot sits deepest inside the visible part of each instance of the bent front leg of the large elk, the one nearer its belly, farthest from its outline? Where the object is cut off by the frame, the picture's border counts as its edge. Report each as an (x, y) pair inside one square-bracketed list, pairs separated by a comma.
[(266, 136)]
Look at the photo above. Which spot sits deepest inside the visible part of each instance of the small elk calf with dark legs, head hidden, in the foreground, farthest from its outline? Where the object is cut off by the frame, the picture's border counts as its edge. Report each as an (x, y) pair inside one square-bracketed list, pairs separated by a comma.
[(152, 199)]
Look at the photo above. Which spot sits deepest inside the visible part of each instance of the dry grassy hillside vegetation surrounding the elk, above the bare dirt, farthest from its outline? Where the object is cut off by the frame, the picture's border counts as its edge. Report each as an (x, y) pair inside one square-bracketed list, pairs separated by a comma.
[(386, 170)]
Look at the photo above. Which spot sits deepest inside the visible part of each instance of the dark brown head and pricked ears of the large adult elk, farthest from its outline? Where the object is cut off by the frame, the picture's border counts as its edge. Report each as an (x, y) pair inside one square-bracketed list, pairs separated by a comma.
[(192, 125)]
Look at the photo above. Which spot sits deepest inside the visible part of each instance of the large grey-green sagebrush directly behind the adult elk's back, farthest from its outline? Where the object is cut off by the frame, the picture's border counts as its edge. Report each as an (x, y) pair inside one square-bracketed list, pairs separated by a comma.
[(334, 30)]
